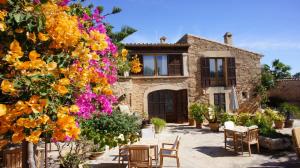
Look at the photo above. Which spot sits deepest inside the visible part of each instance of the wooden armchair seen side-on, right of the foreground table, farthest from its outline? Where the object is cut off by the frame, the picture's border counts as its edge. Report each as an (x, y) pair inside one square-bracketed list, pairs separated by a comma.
[(170, 152)]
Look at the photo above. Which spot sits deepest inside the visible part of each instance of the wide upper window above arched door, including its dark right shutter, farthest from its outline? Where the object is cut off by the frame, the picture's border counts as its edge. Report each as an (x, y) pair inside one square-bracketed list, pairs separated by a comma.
[(161, 65)]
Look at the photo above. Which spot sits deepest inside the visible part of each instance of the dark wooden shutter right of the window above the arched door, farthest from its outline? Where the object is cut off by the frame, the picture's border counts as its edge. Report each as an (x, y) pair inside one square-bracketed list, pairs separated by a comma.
[(174, 65)]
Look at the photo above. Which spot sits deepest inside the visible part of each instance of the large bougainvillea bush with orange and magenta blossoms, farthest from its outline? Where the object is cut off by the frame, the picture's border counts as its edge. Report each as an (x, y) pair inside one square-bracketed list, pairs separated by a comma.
[(57, 66)]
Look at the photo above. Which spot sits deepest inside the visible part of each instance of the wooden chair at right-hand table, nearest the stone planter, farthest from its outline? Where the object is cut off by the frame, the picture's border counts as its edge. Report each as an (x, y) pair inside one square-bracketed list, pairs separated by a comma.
[(250, 138)]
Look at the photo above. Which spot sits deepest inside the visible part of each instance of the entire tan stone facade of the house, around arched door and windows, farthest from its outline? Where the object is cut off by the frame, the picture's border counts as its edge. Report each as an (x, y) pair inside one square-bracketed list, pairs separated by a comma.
[(247, 76)]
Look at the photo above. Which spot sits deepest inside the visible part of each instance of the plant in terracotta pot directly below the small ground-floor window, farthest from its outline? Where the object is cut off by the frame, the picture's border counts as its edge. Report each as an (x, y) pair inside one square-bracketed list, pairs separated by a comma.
[(212, 116)]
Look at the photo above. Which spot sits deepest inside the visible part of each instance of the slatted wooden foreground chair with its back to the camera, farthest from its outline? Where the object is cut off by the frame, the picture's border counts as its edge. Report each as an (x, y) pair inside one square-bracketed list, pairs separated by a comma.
[(139, 156)]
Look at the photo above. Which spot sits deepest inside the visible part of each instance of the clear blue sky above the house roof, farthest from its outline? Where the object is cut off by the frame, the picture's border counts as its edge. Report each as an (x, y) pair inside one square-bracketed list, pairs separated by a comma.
[(270, 27)]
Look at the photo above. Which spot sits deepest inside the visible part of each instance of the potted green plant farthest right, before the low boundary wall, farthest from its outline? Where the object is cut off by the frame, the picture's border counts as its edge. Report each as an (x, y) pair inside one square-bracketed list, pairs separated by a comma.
[(289, 110)]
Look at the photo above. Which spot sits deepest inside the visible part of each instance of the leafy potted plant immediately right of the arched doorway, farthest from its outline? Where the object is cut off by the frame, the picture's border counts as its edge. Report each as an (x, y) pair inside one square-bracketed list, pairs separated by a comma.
[(197, 111)]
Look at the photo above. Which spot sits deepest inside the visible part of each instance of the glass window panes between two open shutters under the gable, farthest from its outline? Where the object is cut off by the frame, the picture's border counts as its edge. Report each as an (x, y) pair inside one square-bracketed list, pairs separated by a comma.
[(216, 70)]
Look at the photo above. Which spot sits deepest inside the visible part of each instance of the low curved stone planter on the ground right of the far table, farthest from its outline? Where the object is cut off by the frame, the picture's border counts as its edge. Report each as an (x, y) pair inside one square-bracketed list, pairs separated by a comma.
[(275, 143)]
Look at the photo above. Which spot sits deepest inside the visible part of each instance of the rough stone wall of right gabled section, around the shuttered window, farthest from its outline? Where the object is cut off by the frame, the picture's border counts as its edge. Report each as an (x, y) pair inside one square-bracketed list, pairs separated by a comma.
[(247, 69)]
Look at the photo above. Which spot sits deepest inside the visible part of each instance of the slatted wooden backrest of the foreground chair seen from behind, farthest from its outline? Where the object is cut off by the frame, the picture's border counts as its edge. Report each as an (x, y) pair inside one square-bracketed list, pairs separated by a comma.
[(139, 153)]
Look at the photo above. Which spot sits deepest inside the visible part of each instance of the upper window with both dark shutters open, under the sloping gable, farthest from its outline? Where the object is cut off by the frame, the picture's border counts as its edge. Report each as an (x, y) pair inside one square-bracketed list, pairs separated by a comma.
[(218, 72)]
